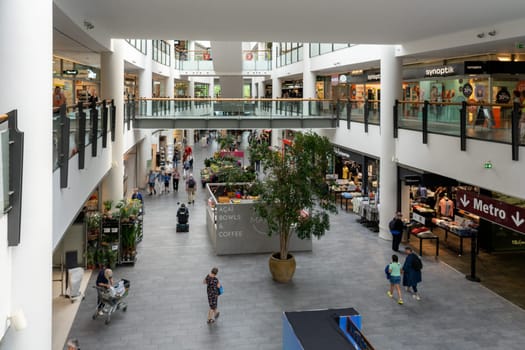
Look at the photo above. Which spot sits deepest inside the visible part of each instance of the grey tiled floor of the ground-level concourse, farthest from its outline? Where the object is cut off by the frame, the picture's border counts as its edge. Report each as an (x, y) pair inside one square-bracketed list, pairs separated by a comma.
[(168, 306)]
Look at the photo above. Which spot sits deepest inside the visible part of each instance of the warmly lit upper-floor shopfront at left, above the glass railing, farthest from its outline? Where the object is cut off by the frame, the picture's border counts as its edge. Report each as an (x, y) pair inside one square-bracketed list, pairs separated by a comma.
[(78, 81)]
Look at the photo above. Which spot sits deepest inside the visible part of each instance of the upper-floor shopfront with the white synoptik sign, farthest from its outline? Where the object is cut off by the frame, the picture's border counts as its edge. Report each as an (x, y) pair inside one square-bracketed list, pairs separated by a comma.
[(471, 81)]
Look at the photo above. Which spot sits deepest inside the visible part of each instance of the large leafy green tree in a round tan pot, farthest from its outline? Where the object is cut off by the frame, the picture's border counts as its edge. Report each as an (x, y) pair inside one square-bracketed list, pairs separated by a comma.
[(293, 196)]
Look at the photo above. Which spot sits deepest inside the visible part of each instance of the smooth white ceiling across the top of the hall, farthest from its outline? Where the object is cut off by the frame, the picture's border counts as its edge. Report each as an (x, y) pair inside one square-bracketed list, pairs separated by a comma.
[(370, 21)]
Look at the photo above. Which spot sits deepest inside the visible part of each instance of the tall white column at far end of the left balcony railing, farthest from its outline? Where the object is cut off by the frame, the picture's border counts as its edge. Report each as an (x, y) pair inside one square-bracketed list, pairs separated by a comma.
[(112, 86)]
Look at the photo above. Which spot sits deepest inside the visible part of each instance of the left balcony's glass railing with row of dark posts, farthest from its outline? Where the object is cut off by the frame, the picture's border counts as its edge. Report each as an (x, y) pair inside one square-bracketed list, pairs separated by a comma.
[(77, 128)]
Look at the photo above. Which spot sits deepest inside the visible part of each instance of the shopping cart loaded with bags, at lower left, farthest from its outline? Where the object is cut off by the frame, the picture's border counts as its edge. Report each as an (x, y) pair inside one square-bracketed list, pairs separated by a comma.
[(111, 299)]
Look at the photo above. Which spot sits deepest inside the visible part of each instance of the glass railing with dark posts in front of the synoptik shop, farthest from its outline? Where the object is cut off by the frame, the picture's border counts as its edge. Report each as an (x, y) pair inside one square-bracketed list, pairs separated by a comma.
[(488, 122)]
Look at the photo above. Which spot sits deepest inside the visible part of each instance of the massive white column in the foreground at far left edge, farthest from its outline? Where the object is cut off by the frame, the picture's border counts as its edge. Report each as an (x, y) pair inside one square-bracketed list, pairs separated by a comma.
[(25, 270)]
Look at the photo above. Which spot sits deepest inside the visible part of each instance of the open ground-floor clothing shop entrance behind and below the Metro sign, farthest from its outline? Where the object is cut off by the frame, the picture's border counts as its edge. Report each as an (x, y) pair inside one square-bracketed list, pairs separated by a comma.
[(430, 202)]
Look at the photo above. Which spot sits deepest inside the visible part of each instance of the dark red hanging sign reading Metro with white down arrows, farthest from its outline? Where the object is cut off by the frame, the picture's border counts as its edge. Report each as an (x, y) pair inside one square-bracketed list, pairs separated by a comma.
[(501, 213)]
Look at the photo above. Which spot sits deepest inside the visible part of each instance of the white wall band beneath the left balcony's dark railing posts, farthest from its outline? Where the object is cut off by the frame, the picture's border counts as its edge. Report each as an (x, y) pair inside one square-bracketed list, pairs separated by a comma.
[(69, 201)]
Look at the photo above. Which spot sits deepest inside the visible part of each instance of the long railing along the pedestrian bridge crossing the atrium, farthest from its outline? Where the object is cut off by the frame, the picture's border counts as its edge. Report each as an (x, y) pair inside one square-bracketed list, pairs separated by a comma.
[(232, 113)]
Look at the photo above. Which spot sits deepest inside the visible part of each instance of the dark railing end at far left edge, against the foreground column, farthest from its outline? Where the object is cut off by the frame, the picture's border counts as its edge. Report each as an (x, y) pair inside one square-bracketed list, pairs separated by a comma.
[(12, 154)]
